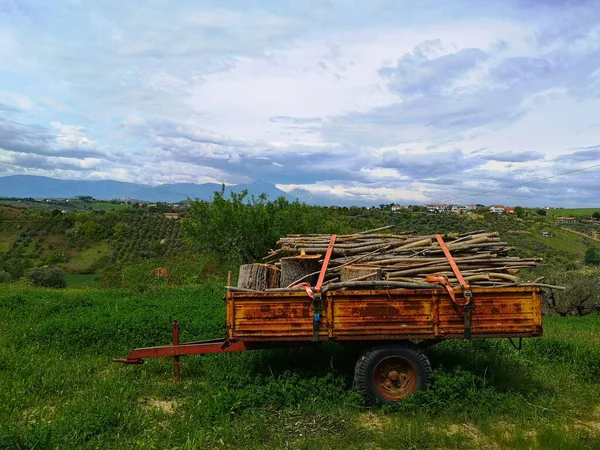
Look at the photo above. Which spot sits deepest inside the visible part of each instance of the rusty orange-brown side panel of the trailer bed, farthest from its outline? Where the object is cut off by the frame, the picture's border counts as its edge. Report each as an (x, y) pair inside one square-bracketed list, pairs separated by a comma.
[(383, 314)]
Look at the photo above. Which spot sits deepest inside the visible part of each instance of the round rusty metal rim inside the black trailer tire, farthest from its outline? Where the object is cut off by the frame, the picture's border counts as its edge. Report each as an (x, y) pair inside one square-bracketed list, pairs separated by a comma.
[(395, 378)]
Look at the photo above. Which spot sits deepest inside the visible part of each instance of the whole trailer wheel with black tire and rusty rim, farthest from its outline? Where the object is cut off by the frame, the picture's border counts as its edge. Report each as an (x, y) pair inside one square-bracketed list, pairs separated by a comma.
[(388, 374)]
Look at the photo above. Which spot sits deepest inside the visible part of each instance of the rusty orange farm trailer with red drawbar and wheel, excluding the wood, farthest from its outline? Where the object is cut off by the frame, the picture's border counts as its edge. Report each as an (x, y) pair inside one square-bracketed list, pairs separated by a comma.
[(393, 327)]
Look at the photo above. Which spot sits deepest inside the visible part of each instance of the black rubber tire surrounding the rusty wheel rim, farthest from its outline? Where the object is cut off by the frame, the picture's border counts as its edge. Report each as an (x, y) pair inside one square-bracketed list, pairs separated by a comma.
[(367, 362)]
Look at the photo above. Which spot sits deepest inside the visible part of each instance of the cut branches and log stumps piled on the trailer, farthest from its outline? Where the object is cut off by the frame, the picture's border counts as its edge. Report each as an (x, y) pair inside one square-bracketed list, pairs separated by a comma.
[(377, 258)]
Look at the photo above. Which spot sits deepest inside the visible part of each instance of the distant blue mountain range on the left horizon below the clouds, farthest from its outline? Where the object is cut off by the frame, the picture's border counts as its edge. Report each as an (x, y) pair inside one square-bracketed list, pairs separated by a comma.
[(23, 186)]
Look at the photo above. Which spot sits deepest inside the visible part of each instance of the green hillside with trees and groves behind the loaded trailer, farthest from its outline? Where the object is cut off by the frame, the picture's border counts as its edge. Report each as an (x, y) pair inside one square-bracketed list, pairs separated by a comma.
[(219, 235)]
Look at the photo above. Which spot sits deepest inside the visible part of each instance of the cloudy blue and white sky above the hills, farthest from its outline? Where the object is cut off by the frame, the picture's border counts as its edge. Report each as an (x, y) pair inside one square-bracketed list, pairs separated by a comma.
[(382, 101)]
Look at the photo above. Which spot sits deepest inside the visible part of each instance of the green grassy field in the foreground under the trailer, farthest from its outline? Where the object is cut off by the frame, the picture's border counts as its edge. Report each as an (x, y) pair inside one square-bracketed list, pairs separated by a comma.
[(58, 388)]
